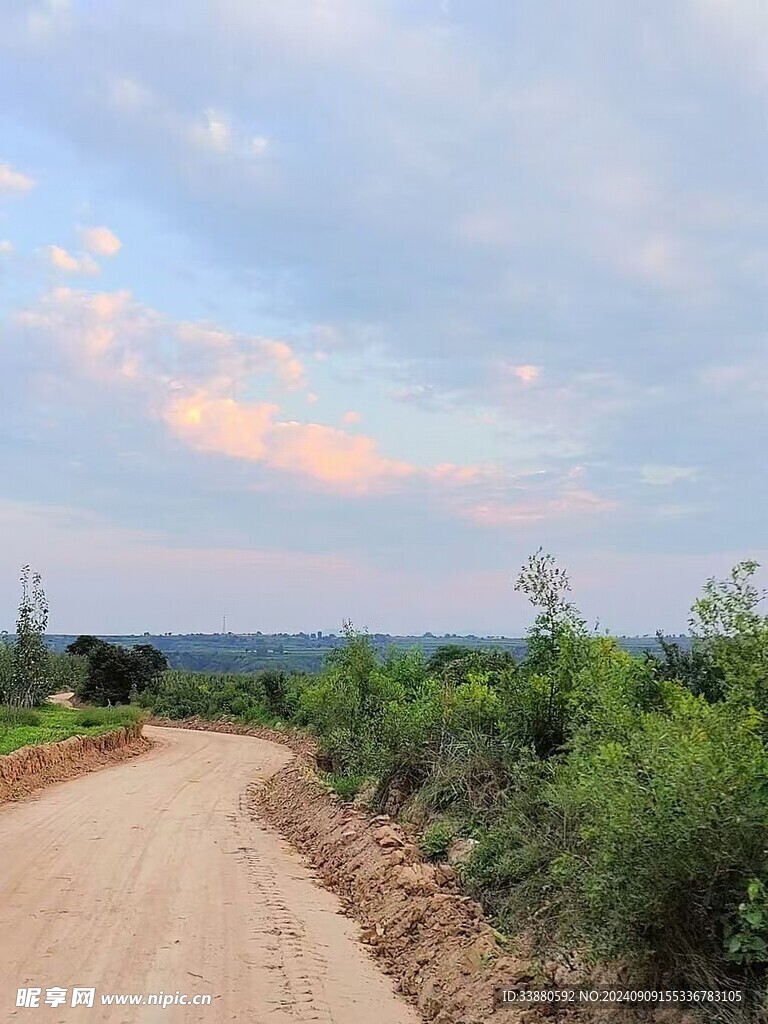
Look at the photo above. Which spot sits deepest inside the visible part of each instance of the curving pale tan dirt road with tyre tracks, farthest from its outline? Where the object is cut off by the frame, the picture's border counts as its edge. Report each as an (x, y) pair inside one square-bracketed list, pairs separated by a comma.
[(151, 877)]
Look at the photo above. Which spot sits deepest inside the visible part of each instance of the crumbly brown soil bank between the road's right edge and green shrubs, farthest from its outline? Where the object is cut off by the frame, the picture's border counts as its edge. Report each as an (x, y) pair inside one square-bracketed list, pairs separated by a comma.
[(429, 935)]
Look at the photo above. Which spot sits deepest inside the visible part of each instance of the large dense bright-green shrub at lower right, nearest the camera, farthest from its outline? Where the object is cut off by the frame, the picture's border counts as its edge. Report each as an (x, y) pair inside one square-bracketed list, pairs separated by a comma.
[(639, 847)]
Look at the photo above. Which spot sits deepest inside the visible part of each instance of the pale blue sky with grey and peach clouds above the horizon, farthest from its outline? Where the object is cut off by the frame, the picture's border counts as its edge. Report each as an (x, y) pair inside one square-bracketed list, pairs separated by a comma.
[(327, 310)]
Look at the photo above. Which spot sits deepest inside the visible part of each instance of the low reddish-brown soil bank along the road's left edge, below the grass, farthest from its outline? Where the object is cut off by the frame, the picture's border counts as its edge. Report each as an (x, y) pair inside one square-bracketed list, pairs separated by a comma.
[(32, 769)]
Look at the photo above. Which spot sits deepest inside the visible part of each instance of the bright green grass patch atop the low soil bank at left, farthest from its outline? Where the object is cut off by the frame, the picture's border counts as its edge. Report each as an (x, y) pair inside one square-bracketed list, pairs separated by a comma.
[(50, 724)]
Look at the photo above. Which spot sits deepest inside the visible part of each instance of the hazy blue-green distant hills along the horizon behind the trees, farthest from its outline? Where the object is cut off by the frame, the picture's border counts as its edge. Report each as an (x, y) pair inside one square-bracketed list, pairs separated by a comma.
[(242, 653)]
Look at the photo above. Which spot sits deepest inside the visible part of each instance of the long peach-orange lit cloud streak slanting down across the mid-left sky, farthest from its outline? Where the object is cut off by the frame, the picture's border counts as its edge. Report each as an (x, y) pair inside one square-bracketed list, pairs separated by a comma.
[(201, 381)]
